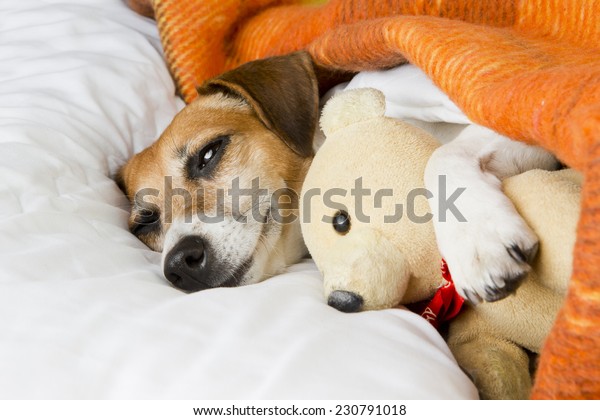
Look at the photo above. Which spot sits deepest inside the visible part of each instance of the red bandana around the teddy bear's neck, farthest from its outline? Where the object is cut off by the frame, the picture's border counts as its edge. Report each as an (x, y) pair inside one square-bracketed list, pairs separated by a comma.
[(444, 305)]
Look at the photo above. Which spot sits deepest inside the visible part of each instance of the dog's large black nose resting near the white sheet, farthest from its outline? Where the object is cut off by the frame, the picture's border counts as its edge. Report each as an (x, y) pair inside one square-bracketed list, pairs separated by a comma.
[(186, 265)]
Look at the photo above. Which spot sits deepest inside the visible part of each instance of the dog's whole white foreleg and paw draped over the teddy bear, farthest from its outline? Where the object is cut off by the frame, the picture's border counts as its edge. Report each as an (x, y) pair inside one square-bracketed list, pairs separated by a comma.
[(489, 251)]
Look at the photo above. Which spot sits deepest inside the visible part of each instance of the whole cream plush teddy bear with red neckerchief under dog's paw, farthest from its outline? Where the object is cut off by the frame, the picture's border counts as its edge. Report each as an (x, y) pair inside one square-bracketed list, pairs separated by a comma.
[(379, 250)]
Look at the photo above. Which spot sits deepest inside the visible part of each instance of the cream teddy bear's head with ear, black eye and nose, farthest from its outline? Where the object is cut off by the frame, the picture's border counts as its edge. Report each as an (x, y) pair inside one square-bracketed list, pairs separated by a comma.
[(365, 216)]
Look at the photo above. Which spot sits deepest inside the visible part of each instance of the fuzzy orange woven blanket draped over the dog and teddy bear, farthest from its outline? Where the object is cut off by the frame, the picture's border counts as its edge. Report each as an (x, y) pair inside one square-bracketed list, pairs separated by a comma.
[(529, 69)]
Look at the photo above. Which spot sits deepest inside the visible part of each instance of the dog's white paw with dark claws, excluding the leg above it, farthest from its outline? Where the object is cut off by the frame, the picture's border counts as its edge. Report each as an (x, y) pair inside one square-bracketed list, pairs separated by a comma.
[(489, 255)]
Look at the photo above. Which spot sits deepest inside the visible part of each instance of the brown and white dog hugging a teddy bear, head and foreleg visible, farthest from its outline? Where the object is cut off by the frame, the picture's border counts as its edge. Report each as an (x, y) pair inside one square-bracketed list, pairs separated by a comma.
[(251, 130)]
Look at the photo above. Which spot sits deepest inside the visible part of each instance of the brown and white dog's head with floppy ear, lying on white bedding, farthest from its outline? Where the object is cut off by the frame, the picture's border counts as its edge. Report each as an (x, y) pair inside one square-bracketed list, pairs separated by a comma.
[(217, 193)]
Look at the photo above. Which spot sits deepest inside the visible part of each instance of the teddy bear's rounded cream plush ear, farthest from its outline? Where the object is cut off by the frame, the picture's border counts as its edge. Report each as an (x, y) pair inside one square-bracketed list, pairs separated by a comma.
[(352, 106)]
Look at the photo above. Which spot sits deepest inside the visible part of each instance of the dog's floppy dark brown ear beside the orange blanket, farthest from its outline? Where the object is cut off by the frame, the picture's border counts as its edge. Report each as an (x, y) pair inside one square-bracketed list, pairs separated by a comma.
[(284, 93)]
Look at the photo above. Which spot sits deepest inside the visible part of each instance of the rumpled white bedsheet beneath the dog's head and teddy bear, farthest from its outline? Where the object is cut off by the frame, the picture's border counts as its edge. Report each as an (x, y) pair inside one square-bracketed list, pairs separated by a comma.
[(84, 309)]
